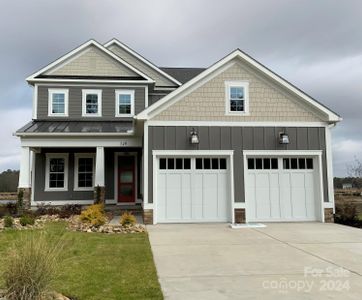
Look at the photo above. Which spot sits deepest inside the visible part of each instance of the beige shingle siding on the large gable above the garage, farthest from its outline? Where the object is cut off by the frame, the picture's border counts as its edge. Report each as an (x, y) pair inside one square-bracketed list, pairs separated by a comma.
[(267, 101)]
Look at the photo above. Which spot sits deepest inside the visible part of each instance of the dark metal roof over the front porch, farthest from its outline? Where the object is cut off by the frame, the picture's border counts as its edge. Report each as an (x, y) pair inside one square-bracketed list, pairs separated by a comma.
[(76, 127)]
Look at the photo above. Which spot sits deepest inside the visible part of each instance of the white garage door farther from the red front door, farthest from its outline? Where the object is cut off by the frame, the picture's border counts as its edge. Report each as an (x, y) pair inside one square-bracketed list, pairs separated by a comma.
[(282, 189)]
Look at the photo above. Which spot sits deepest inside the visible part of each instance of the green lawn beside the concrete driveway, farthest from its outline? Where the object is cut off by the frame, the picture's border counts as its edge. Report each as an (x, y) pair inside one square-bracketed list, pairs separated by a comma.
[(100, 266)]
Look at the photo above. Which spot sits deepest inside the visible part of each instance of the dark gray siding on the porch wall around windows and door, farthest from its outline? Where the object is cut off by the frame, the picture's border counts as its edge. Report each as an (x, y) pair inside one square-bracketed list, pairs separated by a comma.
[(39, 184)]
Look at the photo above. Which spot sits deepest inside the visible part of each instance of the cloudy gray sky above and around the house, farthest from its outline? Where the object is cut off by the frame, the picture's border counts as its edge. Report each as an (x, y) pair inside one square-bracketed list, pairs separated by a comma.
[(316, 45)]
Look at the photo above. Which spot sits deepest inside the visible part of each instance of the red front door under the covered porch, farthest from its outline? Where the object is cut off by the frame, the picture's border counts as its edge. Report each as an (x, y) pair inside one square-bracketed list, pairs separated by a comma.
[(126, 179)]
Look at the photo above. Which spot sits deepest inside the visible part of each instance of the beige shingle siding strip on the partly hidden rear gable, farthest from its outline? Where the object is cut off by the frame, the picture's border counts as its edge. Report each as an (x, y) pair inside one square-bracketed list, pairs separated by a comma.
[(156, 76)]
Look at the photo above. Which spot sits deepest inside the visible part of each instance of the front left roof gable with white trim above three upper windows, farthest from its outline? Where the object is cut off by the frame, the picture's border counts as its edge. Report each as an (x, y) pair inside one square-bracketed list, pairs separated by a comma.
[(90, 60)]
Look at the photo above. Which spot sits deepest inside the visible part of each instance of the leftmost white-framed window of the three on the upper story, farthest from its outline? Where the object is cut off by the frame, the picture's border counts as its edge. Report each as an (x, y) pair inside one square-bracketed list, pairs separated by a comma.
[(58, 102)]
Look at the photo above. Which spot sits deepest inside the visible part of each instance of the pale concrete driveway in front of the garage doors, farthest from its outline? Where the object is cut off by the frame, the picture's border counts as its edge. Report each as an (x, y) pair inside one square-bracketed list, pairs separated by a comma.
[(281, 261)]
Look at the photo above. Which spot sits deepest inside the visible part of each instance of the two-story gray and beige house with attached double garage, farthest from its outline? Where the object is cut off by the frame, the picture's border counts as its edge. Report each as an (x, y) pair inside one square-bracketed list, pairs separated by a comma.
[(234, 142)]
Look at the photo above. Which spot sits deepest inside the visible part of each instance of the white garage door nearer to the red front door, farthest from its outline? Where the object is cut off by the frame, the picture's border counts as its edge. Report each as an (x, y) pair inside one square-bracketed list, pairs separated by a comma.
[(193, 189)]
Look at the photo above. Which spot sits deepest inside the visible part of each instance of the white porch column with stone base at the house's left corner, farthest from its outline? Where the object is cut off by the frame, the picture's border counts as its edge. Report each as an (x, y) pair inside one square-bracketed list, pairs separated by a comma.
[(24, 187)]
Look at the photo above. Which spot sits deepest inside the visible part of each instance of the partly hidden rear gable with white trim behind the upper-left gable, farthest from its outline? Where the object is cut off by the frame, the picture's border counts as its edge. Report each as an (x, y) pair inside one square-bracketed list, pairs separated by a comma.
[(160, 77)]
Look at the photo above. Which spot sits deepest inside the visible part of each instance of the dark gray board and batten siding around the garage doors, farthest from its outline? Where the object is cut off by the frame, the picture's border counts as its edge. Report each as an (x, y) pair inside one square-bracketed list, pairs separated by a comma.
[(237, 139)]
